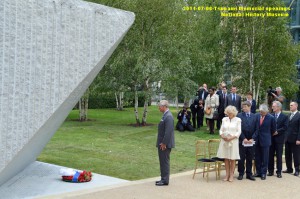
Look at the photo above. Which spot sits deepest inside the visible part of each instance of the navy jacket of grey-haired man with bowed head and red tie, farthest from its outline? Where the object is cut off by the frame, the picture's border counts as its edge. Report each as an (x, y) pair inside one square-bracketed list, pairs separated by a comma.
[(264, 132)]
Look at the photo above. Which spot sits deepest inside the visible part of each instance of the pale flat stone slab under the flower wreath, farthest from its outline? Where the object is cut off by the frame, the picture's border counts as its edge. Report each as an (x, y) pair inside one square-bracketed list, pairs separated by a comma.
[(42, 179)]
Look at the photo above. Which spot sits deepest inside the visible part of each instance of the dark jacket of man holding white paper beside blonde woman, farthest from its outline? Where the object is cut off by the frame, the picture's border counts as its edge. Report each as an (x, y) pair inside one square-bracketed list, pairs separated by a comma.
[(248, 126)]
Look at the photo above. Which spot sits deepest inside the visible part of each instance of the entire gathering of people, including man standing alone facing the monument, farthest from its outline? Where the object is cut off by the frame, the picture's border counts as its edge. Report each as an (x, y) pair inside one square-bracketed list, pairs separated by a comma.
[(245, 134)]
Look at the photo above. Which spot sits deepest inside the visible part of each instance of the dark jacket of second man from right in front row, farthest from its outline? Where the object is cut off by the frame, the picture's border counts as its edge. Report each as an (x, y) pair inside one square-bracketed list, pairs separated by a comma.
[(281, 127)]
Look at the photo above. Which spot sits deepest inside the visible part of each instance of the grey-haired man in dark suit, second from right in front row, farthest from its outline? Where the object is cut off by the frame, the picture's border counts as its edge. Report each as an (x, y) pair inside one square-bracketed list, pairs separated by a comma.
[(278, 139)]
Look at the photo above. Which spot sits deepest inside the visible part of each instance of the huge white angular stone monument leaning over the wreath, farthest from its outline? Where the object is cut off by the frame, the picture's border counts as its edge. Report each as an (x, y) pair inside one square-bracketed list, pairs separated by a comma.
[(50, 52)]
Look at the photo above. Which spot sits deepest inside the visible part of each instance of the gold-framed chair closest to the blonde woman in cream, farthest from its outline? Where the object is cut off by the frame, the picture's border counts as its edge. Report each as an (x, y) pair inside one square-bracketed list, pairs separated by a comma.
[(213, 146)]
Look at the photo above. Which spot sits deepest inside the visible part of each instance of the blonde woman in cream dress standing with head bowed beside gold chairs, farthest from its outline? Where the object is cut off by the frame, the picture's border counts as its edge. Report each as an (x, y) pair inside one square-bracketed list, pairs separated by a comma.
[(229, 145)]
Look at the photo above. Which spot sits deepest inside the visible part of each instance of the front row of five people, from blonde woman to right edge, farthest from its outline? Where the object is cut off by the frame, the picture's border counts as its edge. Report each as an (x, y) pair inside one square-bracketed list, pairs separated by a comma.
[(246, 136)]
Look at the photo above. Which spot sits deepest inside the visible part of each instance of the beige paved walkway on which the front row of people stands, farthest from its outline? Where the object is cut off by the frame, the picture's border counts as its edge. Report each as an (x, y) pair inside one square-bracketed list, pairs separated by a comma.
[(182, 186)]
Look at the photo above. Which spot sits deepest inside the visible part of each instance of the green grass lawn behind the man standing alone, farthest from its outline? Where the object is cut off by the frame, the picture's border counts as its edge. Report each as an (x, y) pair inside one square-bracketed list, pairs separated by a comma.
[(108, 144)]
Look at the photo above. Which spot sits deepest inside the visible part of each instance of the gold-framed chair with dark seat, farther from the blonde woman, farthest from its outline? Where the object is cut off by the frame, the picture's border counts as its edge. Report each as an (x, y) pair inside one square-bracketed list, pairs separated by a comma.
[(202, 160)]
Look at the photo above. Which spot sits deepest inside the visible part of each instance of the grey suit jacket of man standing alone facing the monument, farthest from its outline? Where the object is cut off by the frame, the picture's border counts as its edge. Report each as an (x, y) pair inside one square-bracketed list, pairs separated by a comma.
[(165, 133)]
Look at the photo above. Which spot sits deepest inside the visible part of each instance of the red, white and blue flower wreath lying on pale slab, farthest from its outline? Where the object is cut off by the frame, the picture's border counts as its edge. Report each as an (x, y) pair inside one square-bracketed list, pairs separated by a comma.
[(70, 175)]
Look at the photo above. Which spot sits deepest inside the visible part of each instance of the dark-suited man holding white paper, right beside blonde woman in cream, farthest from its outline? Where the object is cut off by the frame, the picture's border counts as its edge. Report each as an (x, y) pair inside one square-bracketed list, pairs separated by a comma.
[(246, 137)]
